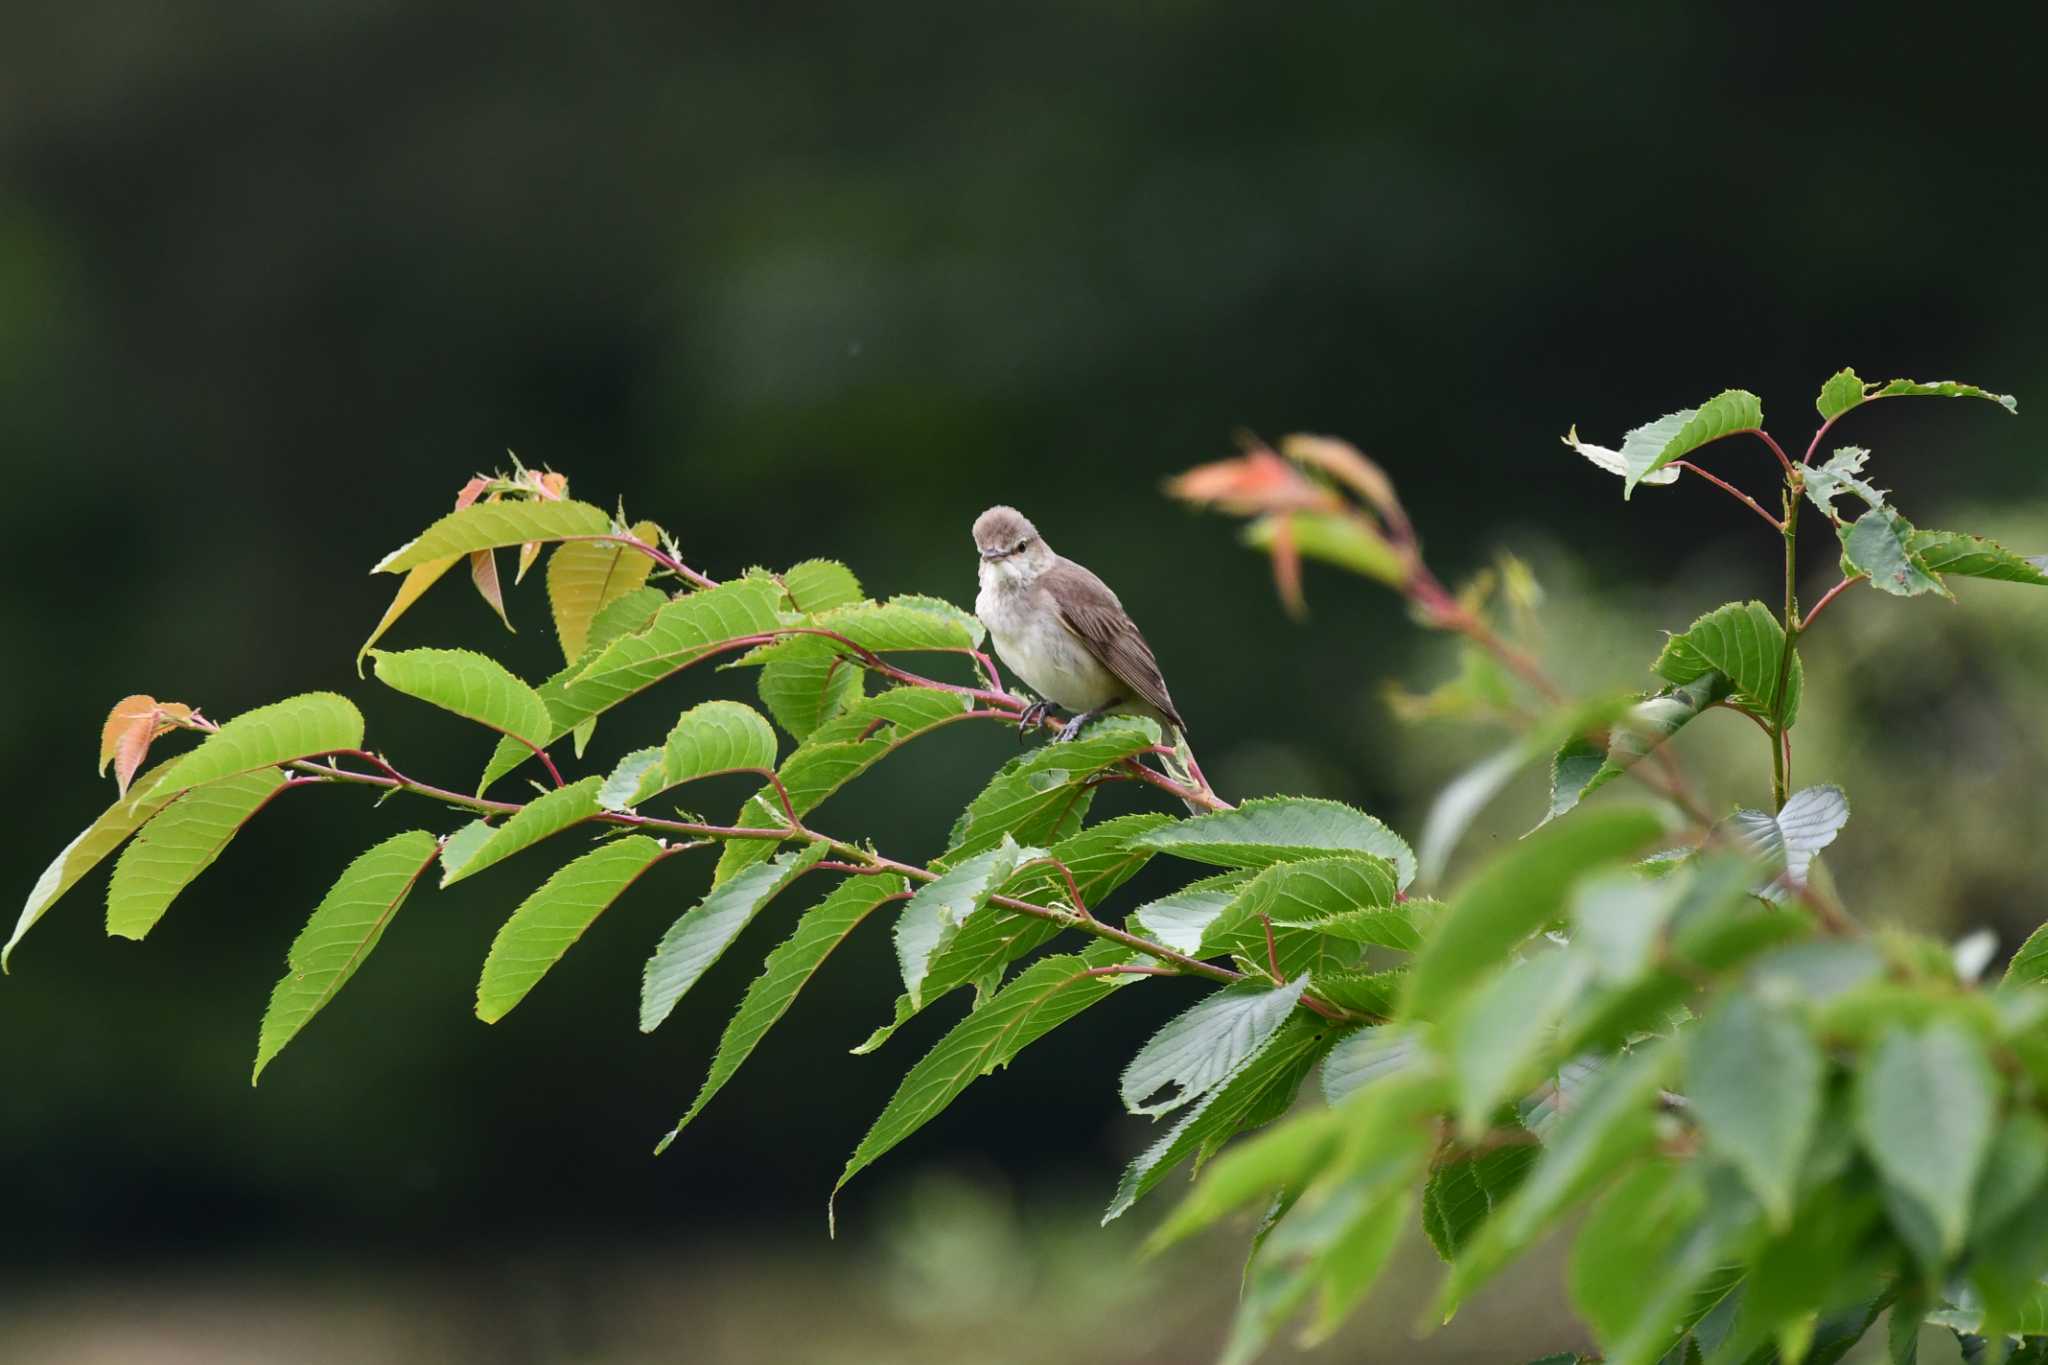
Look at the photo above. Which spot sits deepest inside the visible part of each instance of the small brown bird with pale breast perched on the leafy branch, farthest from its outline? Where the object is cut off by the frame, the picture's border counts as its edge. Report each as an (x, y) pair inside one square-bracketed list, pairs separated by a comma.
[(1064, 631)]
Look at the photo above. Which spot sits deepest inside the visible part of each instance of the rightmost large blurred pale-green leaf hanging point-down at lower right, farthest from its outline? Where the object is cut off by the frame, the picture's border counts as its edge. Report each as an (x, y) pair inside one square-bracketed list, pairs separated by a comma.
[(1926, 1108)]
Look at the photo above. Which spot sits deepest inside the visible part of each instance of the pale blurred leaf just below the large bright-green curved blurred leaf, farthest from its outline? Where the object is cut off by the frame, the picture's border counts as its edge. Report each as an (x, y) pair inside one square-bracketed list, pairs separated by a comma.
[(1498, 1039)]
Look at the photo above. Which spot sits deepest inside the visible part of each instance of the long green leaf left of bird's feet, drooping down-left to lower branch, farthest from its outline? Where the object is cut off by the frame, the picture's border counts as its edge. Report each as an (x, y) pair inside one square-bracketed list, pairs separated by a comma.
[(835, 756)]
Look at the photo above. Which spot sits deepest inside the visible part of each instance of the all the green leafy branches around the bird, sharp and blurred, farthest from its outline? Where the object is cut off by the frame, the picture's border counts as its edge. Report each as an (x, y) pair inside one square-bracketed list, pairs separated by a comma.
[(1652, 1022)]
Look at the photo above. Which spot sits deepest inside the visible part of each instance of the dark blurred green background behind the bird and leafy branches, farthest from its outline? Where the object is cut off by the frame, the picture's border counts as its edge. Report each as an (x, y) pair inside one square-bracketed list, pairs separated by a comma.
[(826, 281)]
